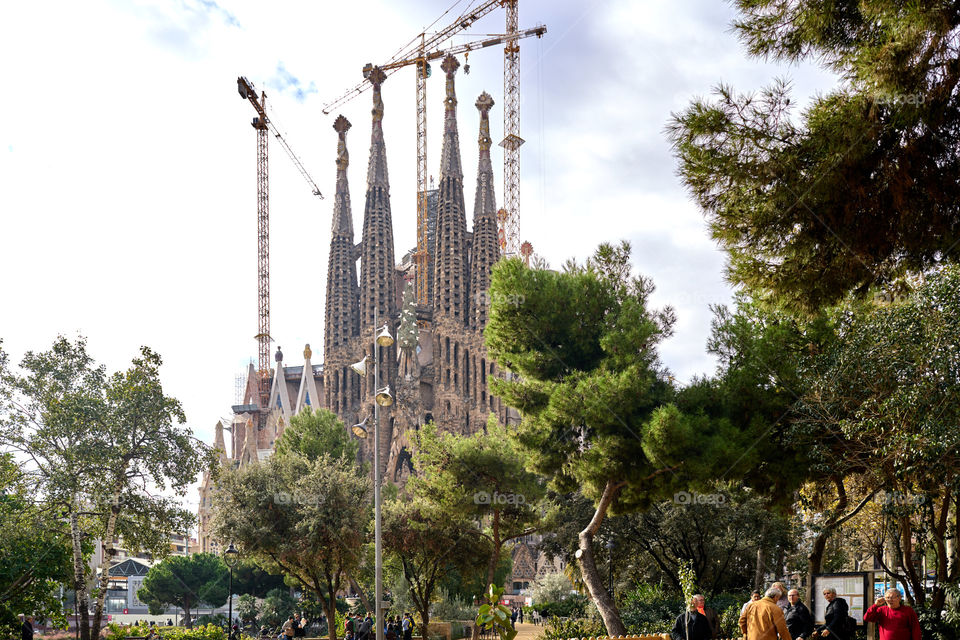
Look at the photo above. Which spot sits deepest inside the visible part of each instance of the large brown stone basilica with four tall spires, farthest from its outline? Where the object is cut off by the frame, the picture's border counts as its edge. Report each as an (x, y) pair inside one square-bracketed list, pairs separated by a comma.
[(438, 368)]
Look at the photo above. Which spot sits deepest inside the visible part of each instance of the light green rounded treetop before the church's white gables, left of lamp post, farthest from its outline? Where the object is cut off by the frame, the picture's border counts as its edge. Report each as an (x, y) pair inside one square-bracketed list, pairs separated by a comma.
[(313, 433)]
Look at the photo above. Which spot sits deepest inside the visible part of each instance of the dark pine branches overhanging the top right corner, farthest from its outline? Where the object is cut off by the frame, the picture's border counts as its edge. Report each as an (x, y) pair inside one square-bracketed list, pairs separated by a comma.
[(860, 188)]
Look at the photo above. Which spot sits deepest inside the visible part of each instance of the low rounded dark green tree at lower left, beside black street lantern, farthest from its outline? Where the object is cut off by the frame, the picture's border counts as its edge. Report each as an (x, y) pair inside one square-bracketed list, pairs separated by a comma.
[(186, 582)]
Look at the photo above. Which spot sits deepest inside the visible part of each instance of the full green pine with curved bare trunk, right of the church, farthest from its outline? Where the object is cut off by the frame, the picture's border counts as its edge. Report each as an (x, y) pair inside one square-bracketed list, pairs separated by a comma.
[(596, 402)]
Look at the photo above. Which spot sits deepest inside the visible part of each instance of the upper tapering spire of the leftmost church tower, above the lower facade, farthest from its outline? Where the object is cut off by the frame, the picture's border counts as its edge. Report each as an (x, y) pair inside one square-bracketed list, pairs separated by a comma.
[(342, 319)]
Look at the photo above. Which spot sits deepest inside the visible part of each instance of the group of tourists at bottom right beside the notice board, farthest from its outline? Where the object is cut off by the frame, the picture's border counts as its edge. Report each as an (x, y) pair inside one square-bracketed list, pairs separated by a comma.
[(778, 614)]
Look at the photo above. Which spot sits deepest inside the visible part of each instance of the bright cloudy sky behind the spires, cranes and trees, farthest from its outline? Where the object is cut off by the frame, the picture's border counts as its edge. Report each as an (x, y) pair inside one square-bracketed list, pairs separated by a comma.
[(128, 164)]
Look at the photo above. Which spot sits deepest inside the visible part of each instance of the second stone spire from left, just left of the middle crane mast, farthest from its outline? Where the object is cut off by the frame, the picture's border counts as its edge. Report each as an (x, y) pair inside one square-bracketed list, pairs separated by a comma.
[(377, 275)]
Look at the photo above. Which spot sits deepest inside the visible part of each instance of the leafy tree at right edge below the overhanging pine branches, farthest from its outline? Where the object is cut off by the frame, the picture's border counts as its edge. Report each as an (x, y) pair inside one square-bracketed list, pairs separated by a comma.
[(882, 401)]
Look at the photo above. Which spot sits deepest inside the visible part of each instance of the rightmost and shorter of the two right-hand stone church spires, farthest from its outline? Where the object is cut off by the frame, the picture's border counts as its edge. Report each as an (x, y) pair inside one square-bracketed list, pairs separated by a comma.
[(485, 250)]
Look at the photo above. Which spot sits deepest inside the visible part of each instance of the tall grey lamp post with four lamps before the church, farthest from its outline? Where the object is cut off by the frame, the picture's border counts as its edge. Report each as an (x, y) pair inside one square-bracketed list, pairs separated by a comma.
[(383, 398)]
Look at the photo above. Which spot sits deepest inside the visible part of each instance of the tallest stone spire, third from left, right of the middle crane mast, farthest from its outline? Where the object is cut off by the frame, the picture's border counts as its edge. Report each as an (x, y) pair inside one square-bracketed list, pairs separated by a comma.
[(450, 283)]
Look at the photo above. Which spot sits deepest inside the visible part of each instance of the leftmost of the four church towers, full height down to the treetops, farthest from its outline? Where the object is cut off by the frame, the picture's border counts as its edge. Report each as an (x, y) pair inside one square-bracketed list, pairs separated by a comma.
[(342, 320)]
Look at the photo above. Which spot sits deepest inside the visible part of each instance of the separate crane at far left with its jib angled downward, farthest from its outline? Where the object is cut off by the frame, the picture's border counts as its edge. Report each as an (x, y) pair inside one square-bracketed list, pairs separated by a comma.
[(263, 124)]
